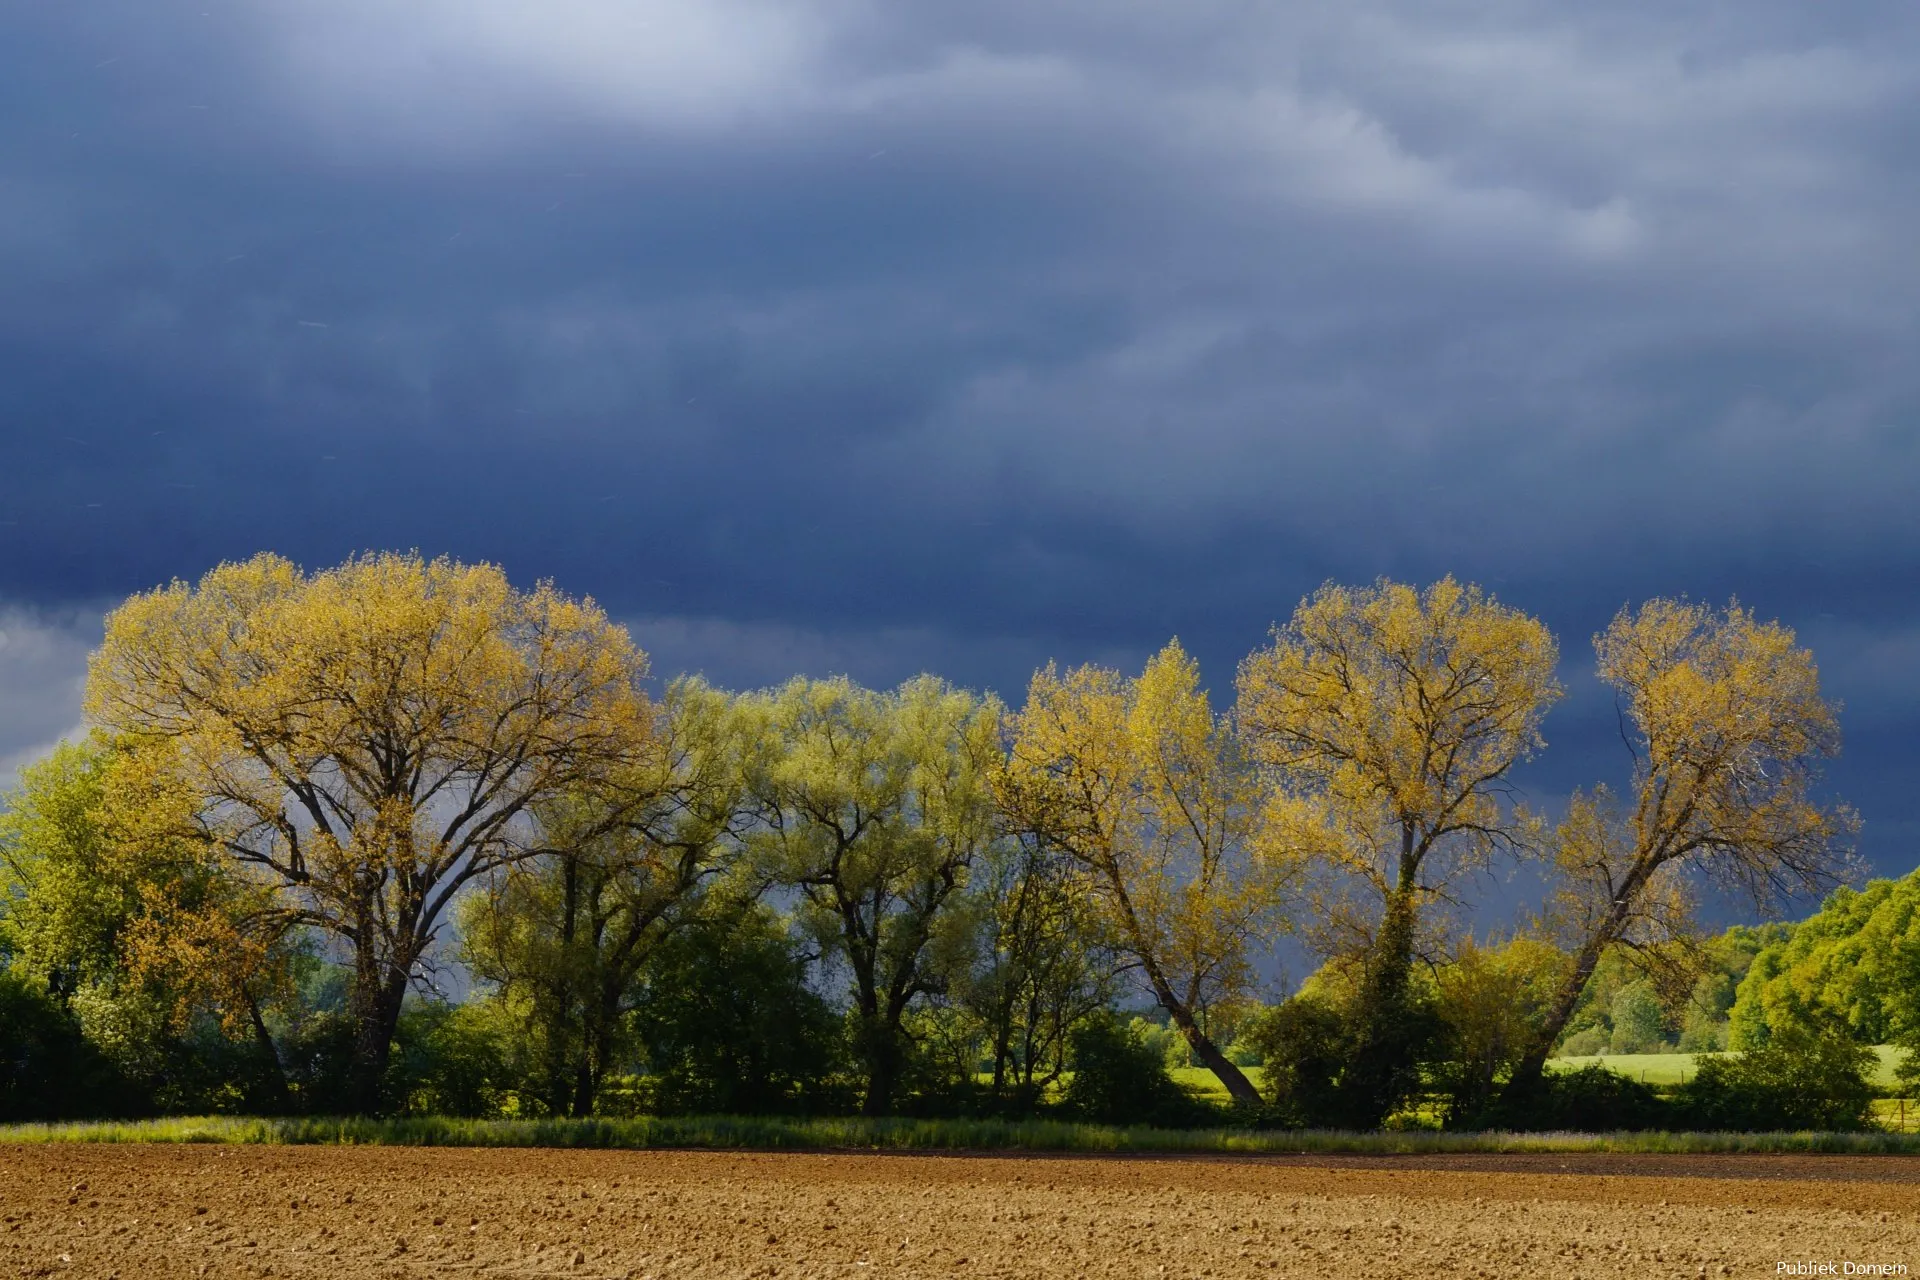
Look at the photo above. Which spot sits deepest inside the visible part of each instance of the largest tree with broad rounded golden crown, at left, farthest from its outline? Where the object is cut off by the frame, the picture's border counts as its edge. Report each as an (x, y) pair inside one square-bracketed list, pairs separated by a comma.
[(372, 738)]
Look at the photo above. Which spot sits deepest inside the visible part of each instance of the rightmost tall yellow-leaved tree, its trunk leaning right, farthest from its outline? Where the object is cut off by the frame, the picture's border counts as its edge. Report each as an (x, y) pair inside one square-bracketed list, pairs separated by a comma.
[(1727, 726)]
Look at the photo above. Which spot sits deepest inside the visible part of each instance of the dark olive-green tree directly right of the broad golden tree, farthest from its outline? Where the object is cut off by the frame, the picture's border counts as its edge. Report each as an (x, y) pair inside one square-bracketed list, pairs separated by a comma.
[(567, 937)]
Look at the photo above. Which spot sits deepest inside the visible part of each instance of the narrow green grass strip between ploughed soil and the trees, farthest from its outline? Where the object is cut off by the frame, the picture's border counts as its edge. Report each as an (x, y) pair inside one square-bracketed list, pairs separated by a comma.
[(731, 1133)]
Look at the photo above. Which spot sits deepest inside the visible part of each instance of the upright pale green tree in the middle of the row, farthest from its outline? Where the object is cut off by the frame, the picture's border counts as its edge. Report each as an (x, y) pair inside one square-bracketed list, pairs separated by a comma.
[(875, 805)]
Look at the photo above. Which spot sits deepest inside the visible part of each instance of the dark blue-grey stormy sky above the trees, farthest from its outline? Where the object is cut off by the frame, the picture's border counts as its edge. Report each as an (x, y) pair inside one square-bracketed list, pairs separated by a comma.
[(850, 337)]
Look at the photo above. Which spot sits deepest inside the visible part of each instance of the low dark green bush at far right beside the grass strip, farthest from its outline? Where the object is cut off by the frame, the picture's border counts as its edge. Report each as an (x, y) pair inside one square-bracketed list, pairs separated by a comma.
[(1800, 1079)]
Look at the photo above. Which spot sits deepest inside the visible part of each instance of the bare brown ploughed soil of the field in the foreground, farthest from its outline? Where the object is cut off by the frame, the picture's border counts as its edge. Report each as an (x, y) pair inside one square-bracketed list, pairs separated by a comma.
[(343, 1214)]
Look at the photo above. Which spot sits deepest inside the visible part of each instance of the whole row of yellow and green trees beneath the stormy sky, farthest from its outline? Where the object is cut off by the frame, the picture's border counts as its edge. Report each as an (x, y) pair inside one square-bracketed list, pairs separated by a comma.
[(400, 763)]
